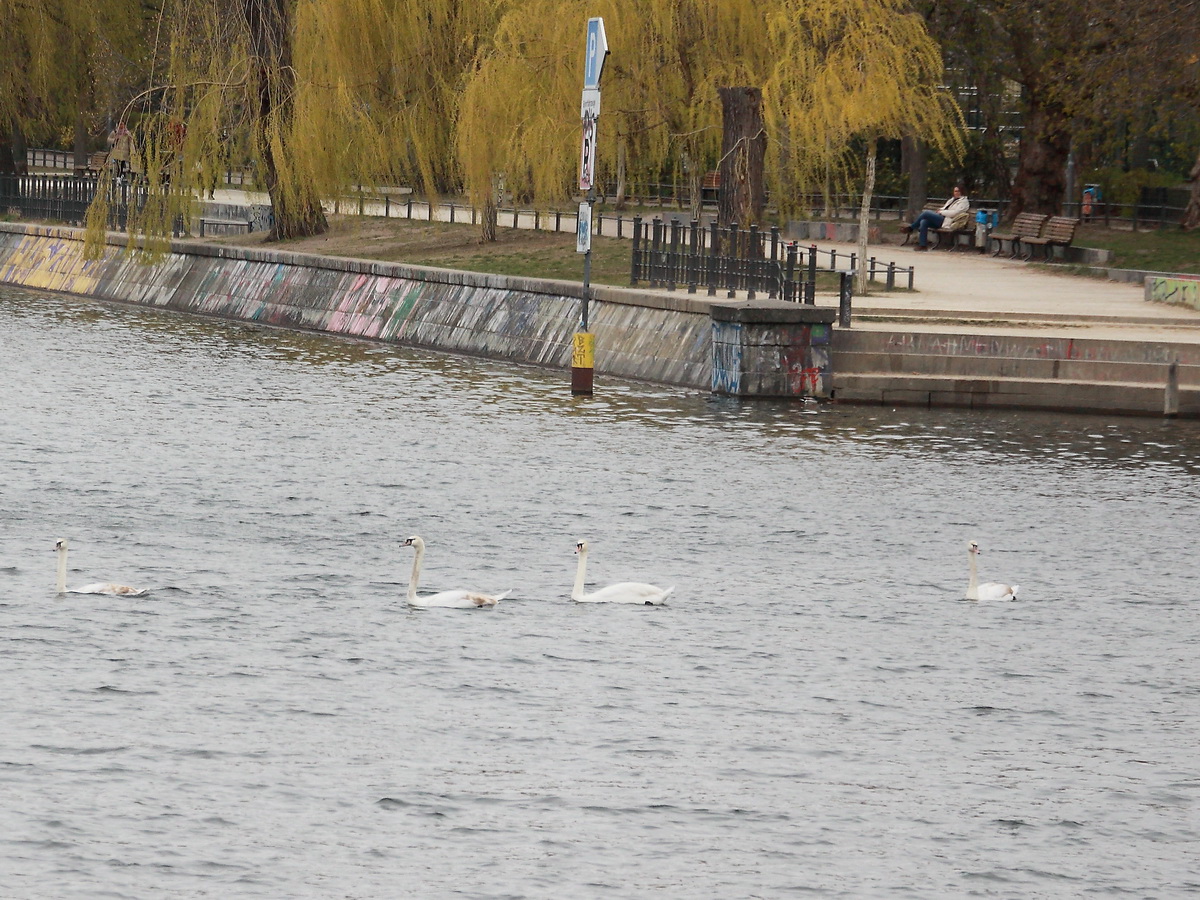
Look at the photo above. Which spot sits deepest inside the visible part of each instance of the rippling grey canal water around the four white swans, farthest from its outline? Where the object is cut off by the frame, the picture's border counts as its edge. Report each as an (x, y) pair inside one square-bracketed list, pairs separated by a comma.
[(815, 713)]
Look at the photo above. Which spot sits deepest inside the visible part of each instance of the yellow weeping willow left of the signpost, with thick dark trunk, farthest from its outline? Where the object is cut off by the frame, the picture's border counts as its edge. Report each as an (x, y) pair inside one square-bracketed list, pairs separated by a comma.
[(323, 94)]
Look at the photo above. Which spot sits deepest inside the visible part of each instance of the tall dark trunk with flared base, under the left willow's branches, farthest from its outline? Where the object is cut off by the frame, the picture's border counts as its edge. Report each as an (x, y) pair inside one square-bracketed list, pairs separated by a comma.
[(297, 211)]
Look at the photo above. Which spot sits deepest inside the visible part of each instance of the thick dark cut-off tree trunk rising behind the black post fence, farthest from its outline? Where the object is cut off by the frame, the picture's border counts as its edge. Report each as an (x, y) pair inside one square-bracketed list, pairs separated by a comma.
[(743, 151)]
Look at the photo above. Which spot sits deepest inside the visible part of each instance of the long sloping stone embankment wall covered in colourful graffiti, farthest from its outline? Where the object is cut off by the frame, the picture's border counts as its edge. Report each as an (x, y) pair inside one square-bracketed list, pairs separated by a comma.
[(663, 340)]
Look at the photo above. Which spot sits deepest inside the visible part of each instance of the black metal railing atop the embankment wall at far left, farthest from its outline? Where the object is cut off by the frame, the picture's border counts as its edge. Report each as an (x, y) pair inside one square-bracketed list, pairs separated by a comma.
[(67, 199)]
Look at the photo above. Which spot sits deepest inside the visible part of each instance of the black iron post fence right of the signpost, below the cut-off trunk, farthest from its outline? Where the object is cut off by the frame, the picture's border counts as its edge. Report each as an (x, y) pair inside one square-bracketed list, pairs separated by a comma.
[(668, 255)]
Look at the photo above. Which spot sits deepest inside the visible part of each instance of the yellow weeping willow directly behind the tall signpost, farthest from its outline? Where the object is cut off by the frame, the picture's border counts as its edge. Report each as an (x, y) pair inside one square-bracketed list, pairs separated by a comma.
[(519, 118)]
